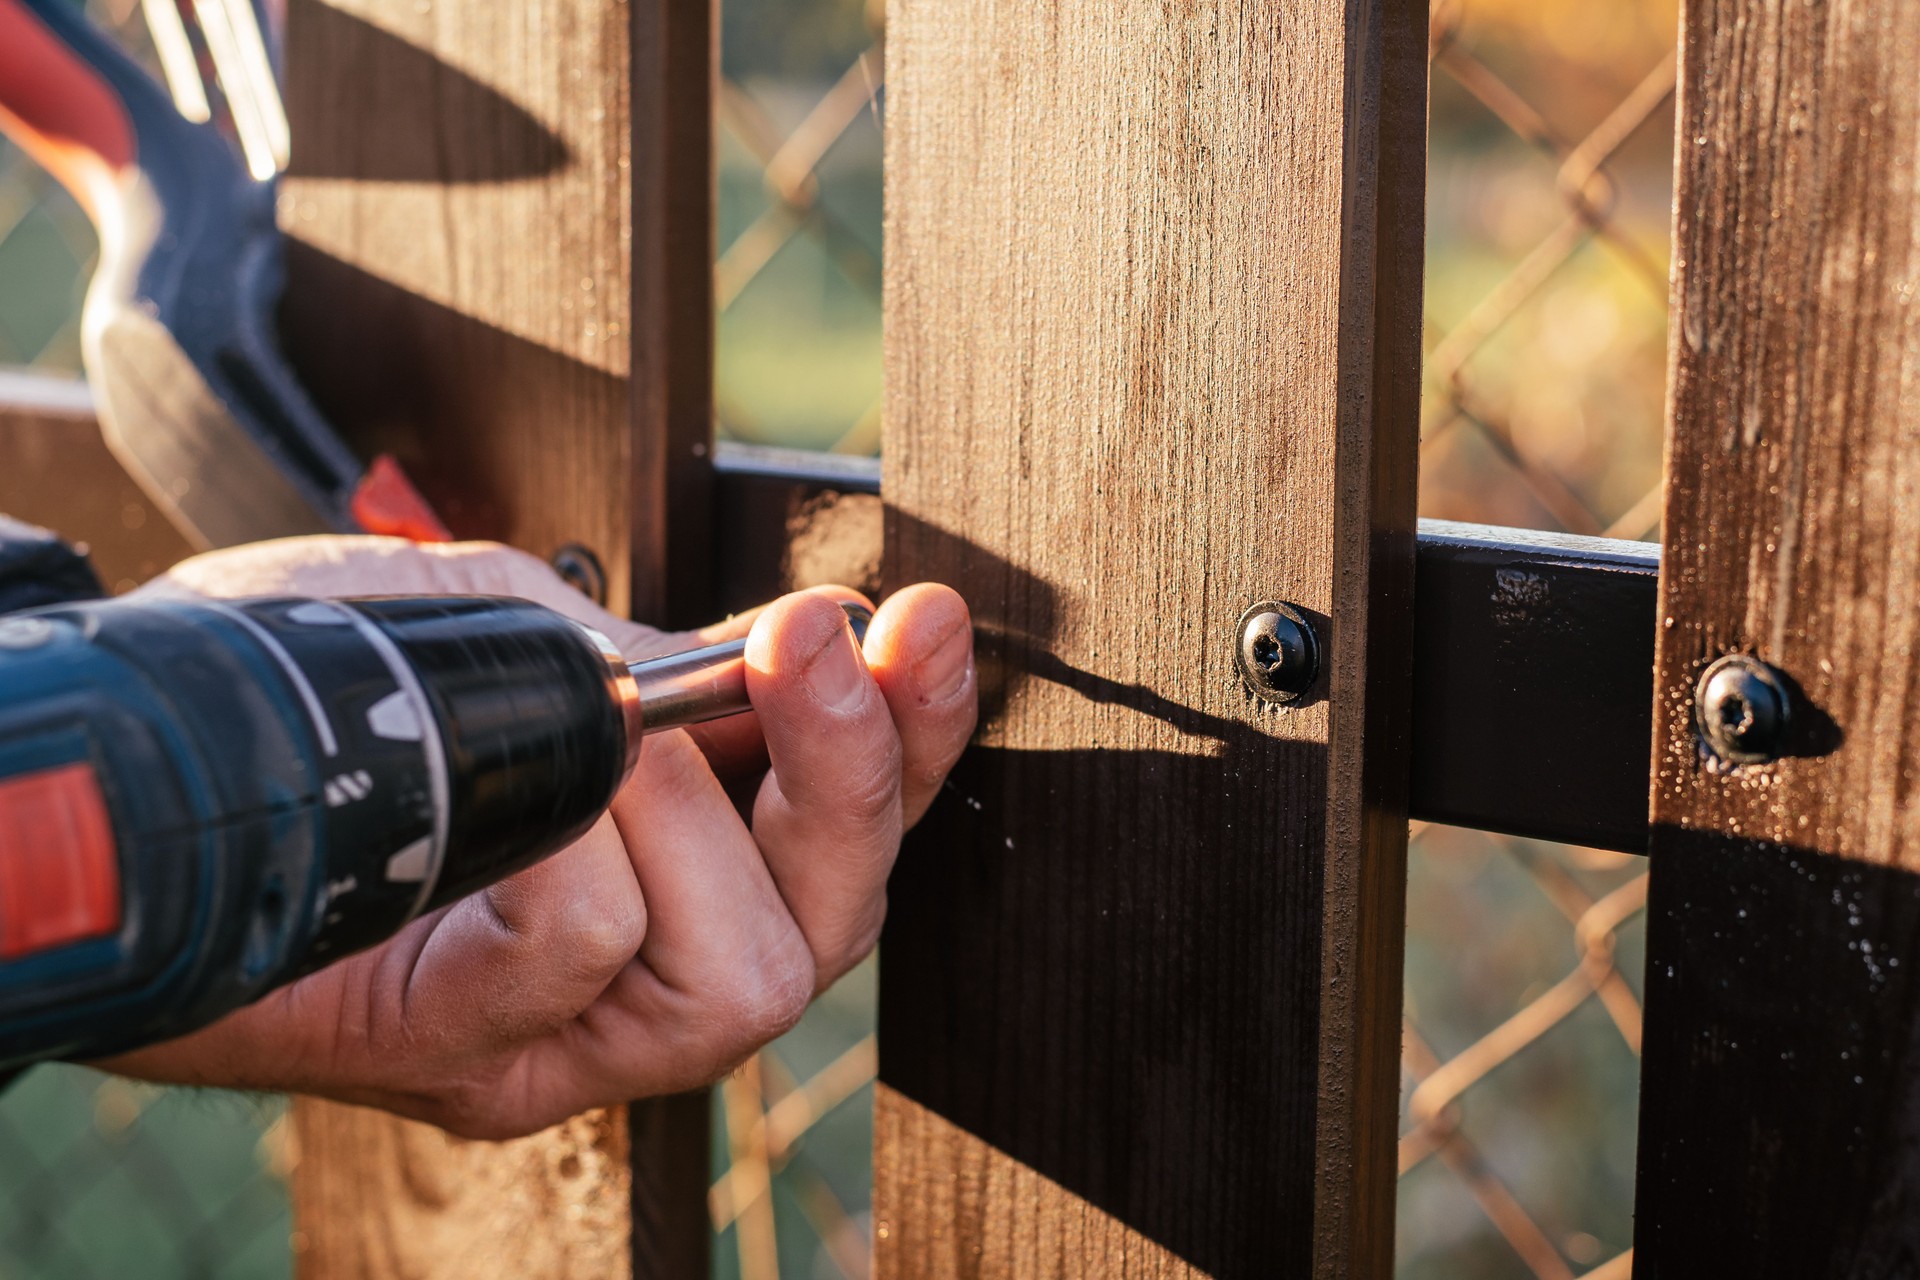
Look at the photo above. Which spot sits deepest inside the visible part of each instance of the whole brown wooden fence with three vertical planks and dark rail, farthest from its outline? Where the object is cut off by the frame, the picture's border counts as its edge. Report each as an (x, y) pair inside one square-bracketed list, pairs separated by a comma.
[(1153, 356)]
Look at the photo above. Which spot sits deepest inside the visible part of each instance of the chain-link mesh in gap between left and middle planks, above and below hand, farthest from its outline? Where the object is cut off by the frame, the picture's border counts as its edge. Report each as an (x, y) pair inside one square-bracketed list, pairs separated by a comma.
[(798, 293)]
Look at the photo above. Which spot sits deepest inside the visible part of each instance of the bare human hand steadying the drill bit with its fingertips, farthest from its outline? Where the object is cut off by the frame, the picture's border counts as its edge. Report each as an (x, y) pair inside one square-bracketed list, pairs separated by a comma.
[(671, 941)]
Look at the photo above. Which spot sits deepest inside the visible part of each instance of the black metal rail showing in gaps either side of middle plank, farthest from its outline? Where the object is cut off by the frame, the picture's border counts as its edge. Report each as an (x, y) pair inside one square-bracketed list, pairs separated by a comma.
[(1533, 659)]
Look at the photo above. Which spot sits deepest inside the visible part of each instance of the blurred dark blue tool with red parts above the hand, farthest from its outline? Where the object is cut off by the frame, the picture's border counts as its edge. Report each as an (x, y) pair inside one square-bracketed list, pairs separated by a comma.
[(178, 331)]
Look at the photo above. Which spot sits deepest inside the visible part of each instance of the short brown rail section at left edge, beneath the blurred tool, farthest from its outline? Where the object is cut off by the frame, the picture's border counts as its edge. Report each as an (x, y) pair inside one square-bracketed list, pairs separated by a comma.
[(59, 471)]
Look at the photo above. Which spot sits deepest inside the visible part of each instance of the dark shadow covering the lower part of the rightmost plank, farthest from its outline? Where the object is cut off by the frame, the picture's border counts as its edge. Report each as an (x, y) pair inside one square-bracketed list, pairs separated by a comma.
[(1781, 1072)]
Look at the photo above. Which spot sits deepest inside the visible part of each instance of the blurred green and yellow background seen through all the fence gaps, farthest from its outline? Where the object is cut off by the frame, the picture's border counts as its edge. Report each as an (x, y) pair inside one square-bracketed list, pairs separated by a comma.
[(1547, 312)]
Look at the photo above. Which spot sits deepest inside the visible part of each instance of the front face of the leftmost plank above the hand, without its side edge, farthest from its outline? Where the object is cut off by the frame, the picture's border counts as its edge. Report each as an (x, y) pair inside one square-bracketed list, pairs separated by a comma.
[(460, 210)]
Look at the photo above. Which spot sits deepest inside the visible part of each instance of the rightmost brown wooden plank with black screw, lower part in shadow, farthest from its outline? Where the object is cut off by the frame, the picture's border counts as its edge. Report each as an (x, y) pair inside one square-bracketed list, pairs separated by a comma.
[(1781, 1101)]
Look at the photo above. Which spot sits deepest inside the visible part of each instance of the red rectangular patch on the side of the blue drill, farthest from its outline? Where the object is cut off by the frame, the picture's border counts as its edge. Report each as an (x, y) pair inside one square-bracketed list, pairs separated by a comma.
[(59, 866)]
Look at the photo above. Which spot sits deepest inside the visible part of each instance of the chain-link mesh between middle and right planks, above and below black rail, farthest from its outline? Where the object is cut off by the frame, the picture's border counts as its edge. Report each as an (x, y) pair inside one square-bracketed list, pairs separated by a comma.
[(1547, 320)]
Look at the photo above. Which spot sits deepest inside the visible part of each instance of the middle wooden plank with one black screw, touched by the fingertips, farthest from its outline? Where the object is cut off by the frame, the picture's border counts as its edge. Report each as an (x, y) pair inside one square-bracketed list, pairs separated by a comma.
[(1153, 314)]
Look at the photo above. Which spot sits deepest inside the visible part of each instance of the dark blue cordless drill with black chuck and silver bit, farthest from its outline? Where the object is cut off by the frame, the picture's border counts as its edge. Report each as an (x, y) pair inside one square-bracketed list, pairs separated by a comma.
[(204, 801)]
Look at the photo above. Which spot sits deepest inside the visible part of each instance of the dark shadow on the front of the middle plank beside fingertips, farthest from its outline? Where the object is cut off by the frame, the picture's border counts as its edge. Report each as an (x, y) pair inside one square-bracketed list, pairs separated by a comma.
[(1084, 972)]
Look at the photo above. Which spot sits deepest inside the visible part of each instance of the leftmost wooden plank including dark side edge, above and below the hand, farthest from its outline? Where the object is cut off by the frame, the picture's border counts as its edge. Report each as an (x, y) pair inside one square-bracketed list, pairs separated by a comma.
[(502, 227)]
